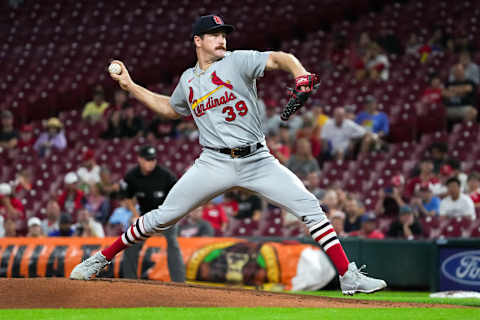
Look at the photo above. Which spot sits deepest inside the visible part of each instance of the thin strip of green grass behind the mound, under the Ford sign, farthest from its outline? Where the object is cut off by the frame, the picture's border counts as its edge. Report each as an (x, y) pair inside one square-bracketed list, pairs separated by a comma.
[(400, 296)]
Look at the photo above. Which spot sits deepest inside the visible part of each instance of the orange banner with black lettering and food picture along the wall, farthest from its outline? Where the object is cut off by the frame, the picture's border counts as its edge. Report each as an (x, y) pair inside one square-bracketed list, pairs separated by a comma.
[(213, 260)]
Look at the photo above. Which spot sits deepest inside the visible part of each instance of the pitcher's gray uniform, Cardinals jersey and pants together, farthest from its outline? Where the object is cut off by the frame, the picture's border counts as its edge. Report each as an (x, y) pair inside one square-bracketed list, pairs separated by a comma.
[(223, 102)]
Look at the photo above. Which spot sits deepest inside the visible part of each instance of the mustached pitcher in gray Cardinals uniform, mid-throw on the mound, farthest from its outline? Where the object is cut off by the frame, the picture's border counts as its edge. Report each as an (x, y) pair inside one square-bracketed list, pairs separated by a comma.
[(220, 92)]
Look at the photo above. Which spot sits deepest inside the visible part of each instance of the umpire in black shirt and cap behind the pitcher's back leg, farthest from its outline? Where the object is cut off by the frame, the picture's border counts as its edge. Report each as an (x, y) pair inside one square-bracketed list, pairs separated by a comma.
[(150, 183)]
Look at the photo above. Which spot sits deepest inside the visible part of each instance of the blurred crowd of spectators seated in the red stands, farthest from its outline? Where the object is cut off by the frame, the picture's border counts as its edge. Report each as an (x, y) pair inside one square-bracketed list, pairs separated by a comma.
[(435, 197)]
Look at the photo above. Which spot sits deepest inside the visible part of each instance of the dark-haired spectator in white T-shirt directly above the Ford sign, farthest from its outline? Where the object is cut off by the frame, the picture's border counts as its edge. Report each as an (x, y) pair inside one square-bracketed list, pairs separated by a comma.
[(456, 204)]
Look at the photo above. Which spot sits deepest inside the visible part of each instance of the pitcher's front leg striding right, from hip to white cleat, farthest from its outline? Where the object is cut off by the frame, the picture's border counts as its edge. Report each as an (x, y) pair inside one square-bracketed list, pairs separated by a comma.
[(263, 174)]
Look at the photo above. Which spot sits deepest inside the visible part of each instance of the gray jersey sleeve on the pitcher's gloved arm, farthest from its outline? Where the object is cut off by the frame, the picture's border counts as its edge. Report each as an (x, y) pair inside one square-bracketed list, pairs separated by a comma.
[(250, 63)]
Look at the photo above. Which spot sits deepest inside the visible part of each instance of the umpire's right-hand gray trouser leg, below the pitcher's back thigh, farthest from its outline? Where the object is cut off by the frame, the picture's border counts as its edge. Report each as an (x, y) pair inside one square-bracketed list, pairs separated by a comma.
[(176, 267)]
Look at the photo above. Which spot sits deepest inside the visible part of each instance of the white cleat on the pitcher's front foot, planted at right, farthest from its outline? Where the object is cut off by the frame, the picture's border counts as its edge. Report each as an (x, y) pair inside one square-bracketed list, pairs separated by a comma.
[(354, 280)]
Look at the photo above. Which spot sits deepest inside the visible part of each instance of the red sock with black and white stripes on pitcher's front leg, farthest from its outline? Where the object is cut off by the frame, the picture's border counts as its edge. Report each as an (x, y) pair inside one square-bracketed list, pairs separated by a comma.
[(324, 234)]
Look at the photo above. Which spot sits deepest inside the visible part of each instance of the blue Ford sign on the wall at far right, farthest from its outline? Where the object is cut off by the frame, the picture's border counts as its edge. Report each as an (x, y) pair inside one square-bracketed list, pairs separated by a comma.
[(459, 269)]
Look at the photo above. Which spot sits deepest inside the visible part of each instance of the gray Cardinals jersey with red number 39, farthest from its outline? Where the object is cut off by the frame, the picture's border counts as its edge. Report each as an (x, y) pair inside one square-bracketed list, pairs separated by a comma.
[(223, 99)]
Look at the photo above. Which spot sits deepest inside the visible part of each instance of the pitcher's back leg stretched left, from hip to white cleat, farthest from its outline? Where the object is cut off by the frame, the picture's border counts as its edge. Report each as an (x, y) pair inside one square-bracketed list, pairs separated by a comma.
[(208, 176)]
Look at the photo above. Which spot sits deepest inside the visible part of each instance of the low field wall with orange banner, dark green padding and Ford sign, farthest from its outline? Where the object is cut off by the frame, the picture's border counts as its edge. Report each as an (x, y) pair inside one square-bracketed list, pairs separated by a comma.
[(446, 264)]
